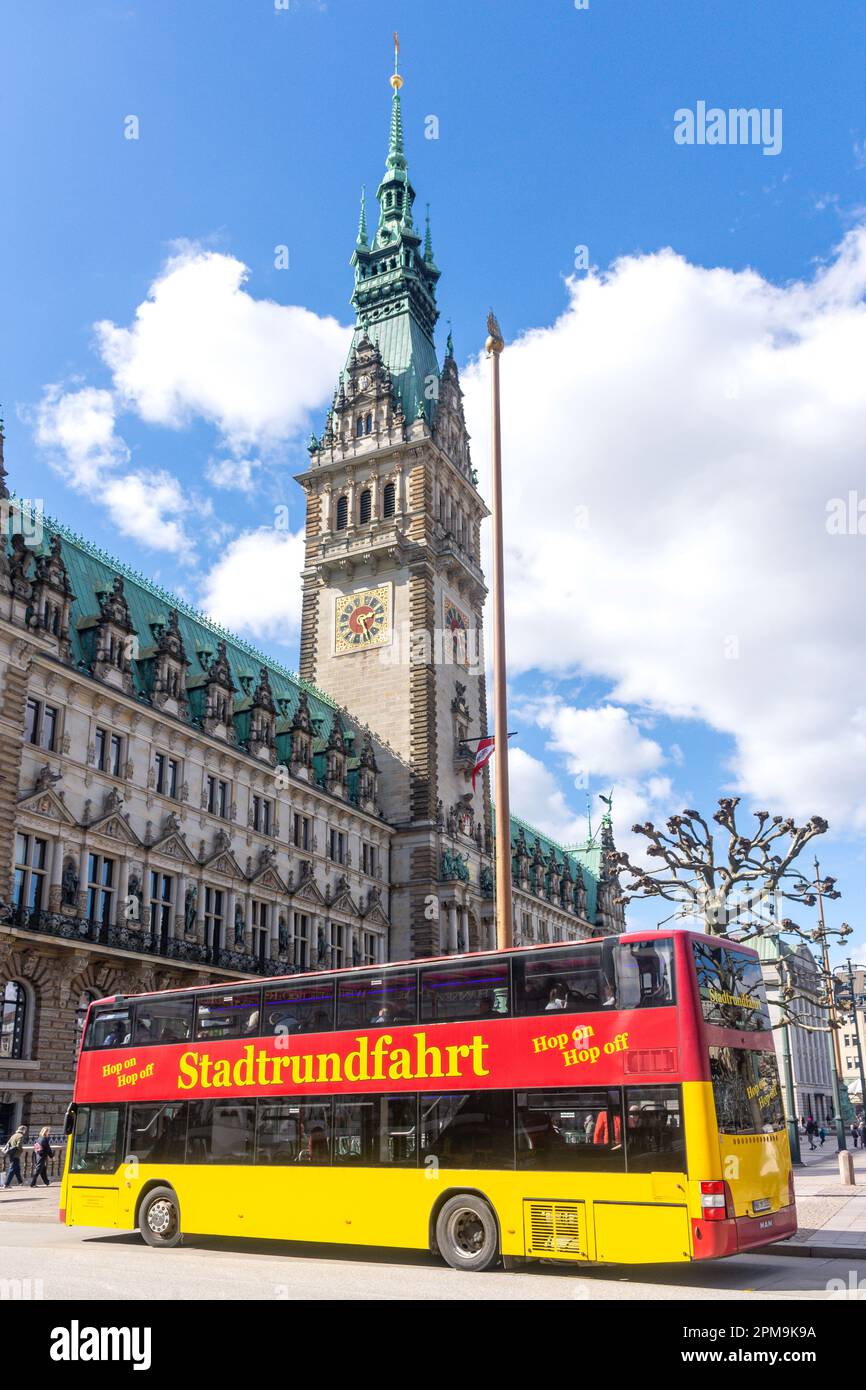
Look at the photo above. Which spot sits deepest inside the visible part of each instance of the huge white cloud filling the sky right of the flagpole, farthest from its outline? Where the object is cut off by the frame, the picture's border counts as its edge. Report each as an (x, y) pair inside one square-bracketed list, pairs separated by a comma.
[(704, 419)]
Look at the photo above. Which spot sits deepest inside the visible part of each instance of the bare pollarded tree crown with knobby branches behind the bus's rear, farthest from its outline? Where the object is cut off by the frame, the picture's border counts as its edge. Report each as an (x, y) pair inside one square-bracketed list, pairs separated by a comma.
[(725, 888)]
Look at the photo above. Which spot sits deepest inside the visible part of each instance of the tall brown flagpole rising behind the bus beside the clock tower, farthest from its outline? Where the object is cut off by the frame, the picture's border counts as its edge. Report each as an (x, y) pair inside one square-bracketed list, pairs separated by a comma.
[(505, 919)]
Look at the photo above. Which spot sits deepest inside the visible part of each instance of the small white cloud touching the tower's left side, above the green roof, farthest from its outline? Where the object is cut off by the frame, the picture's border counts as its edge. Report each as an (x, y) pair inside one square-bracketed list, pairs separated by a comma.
[(256, 586)]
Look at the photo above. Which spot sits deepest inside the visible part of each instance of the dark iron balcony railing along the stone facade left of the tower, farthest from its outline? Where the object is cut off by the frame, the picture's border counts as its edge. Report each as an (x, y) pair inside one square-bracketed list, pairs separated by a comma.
[(85, 931)]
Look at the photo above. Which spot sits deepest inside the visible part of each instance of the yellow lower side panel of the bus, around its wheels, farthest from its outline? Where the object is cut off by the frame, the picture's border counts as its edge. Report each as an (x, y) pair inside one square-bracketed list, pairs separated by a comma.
[(544, 1216)]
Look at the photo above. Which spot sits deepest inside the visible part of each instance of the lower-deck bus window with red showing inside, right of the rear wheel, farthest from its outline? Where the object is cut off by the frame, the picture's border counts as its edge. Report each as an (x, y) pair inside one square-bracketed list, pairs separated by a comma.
[(571, 1131)]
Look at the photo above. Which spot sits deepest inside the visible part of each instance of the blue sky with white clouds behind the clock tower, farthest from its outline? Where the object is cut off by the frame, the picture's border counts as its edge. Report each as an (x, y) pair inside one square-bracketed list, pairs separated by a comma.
[(555, 130)]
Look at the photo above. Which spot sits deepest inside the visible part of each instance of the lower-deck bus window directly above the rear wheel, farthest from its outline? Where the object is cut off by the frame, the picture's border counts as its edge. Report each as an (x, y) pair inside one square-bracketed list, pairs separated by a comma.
[(475, 1131)]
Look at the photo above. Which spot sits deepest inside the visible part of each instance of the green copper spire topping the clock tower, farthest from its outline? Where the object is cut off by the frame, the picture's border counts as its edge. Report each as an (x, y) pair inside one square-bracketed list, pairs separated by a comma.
[(395, 277)]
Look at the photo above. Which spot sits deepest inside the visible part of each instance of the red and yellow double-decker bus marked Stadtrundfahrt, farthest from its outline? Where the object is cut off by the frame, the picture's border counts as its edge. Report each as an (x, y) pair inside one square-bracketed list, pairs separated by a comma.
[(611, 1102)]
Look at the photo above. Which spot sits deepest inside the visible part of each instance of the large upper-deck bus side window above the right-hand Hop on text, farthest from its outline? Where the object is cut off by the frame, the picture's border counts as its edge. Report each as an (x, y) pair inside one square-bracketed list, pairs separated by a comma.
[(571, 979)]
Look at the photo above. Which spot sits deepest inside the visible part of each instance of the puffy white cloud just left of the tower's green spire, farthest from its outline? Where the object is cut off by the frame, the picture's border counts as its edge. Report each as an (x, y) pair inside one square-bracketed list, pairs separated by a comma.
[(201, 345)]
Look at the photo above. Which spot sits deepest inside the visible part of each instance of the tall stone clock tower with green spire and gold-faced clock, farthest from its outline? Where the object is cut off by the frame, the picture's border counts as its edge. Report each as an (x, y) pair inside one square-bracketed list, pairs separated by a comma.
[(393, 583)]
